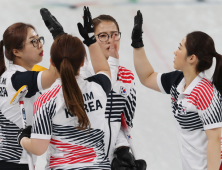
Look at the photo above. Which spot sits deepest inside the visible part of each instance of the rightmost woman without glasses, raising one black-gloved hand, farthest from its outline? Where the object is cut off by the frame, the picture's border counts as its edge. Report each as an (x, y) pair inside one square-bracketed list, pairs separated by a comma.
[(196, 100)]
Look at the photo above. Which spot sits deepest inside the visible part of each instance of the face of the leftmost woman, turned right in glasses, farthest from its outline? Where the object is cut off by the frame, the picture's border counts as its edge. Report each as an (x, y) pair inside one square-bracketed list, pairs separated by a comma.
[(29, 54)]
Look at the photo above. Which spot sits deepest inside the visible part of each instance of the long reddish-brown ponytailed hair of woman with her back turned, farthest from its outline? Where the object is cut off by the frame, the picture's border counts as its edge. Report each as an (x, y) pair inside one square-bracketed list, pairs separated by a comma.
[(67, 54)]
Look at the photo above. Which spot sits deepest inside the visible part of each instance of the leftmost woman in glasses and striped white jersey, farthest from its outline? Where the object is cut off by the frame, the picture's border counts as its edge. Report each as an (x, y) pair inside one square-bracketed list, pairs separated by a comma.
[(23, 48)]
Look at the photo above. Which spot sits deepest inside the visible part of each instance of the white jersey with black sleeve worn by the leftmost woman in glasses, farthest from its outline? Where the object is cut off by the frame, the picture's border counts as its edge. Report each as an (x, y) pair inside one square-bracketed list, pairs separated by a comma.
[(10, 117)]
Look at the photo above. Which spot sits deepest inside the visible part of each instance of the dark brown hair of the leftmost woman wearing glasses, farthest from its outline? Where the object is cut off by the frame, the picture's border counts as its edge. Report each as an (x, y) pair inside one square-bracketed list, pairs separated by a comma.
[(13, 38)]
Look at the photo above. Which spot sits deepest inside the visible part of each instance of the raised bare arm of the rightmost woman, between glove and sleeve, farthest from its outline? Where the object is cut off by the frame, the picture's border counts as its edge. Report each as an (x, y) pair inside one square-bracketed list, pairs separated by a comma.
[(144, 69)]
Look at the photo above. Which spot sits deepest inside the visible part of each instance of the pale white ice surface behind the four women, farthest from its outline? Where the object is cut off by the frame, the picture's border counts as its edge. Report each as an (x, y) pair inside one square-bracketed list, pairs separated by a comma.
[(166, 23)]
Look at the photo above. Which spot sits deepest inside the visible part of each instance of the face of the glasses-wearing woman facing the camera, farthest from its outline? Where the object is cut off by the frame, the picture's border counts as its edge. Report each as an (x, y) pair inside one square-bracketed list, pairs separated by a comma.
[(108, 27)]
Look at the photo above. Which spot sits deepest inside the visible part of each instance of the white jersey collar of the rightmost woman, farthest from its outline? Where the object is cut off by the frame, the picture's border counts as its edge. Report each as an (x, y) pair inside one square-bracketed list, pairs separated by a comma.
[(193, 84)]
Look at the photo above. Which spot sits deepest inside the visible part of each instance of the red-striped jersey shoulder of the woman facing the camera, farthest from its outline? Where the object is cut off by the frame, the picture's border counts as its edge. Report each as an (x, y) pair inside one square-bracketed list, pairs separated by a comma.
[(125, 75)]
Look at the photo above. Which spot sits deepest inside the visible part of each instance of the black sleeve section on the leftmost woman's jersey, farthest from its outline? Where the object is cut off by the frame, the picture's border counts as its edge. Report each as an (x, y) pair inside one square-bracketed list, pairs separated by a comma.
[(28, 78)]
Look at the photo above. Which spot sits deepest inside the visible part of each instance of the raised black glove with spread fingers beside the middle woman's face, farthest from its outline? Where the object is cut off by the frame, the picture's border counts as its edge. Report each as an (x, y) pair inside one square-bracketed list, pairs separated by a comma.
[(87, 32)]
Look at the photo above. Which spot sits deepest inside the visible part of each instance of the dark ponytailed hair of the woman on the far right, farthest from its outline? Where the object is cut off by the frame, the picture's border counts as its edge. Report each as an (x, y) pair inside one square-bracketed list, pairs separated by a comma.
[(202, 45)]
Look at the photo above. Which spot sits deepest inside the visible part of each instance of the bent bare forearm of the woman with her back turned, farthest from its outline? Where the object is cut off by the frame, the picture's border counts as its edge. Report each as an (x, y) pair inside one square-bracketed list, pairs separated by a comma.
[(35, 146)]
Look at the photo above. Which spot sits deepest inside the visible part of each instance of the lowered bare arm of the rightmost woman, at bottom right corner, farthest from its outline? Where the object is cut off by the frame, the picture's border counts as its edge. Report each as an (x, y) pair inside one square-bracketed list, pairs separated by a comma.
[(213, 148)]
